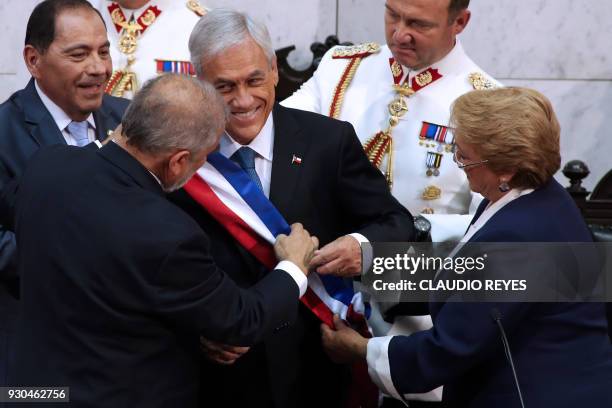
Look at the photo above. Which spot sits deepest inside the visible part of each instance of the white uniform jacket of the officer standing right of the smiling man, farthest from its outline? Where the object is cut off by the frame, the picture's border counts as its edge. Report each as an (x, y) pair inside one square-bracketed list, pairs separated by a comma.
[(365, 106)]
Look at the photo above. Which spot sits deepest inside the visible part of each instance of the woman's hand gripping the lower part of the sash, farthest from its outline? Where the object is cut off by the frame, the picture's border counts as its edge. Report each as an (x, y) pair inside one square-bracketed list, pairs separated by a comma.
[(343, 345)]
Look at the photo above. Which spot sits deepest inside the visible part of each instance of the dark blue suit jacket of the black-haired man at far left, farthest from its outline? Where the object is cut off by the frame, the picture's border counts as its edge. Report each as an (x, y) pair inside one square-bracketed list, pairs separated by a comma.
[(25, 126)]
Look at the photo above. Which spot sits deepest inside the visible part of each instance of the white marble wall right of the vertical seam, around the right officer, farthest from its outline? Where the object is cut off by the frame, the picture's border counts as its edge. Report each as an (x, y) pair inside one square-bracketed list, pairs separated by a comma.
[(559, 47)]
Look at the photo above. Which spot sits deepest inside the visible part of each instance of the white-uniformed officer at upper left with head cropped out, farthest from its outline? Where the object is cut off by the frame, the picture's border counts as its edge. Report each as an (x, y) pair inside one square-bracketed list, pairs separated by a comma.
[(148, 37)]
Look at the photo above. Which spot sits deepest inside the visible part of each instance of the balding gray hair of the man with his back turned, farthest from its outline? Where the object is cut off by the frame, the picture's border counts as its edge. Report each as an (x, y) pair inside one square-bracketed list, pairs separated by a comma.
[(174, 112)]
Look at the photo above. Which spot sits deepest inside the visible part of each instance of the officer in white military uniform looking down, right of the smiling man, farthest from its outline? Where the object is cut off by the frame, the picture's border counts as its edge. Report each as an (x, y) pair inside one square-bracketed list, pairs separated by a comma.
[(398, 98)]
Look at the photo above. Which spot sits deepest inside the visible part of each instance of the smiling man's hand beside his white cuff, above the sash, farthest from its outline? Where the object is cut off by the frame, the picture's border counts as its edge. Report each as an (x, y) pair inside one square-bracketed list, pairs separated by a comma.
[(341, 257)]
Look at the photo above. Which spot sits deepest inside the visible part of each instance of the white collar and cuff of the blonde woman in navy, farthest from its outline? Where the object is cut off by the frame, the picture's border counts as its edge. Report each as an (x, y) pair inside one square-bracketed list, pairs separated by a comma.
[(378, 347)]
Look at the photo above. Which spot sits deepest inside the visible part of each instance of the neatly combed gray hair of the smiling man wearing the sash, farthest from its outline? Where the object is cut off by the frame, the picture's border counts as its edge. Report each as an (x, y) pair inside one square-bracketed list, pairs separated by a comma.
[(221, 29)]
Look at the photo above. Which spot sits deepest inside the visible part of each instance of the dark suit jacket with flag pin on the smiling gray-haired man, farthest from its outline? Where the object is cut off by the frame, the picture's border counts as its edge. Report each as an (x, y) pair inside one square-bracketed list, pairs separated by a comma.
[(334, 191)]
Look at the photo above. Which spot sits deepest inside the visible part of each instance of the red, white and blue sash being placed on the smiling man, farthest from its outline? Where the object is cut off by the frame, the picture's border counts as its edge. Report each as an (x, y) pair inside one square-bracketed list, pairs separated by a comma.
[(233, 199)]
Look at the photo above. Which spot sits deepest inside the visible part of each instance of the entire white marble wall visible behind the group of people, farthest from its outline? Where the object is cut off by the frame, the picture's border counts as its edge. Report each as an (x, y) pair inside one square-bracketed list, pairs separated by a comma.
[(560, 47)]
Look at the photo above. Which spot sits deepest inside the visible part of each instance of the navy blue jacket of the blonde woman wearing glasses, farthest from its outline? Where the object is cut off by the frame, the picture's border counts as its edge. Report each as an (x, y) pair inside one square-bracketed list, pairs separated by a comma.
[(561, 351)]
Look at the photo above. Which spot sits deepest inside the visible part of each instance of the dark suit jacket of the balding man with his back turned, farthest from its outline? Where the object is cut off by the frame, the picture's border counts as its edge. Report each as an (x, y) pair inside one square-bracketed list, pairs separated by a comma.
[(117, 284)]
